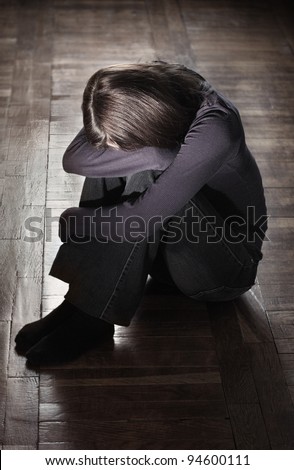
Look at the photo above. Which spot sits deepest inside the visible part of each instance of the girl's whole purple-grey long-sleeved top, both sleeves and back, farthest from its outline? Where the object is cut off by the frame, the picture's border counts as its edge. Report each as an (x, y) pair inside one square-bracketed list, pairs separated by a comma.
[(214, 158)]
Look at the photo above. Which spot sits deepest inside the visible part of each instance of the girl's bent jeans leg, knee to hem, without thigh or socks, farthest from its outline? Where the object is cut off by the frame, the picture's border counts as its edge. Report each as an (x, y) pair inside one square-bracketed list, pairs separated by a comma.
[(106, 279)]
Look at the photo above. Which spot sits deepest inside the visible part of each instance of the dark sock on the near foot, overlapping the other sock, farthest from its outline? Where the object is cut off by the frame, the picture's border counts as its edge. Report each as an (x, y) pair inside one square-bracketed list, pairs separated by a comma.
[(79, 333)]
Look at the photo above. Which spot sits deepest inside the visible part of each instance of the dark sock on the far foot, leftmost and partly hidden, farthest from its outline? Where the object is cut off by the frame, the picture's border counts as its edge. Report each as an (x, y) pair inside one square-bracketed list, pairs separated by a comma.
[(33, 332)]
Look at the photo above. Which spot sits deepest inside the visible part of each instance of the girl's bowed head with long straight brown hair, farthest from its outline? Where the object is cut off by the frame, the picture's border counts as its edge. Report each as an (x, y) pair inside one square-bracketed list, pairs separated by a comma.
[(132, 106)]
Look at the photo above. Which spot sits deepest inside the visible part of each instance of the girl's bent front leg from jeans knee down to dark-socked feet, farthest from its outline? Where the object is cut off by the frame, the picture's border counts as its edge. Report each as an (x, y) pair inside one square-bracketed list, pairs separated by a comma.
[(106, 283)]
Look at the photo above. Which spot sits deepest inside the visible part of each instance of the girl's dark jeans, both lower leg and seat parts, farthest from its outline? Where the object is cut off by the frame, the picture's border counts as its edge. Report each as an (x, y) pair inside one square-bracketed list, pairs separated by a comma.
[(107, 280)]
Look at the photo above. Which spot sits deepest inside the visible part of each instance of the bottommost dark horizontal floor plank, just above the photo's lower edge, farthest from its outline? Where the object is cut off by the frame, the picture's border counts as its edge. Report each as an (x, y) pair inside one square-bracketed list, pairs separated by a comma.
[(198, 433)]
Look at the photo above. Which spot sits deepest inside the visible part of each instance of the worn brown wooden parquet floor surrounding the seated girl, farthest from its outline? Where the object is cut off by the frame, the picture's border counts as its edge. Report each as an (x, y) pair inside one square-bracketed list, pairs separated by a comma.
[(184, 375)]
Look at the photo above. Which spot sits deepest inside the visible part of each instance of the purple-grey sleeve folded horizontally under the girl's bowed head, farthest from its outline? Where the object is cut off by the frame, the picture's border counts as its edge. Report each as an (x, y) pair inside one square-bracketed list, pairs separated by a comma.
[(84, 159)]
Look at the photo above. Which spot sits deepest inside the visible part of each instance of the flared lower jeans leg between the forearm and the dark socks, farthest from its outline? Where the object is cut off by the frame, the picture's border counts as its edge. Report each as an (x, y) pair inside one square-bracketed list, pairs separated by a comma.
[(109, 281)]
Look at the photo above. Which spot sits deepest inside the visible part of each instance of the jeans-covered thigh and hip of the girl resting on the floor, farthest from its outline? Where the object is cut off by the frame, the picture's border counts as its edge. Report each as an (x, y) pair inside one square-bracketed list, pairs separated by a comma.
[(206, 260)]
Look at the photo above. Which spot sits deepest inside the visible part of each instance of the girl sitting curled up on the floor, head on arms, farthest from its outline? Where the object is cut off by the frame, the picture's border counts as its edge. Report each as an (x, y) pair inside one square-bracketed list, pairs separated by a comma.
[(171, 190)]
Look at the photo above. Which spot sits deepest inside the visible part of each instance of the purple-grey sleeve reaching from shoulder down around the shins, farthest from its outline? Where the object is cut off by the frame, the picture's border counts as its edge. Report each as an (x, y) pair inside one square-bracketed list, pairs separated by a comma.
[(213, 138)]
